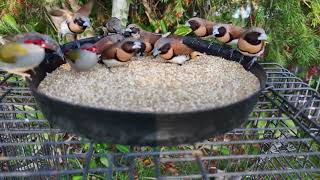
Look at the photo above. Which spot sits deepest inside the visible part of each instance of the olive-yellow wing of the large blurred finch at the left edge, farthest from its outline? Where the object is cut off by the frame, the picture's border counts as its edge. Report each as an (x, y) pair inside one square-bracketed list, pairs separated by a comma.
[(11, 51)]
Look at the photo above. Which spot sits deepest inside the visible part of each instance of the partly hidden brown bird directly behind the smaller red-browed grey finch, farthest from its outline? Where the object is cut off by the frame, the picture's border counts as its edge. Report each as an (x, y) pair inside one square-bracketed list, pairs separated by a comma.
[(107, 41)]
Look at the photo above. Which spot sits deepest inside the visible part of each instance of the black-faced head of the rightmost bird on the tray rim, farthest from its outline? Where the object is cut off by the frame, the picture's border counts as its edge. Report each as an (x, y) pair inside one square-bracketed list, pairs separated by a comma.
[(255, 35)]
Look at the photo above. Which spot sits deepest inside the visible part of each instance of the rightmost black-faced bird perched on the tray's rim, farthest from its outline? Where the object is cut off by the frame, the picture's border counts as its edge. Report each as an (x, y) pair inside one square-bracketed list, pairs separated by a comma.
[(252, 43)]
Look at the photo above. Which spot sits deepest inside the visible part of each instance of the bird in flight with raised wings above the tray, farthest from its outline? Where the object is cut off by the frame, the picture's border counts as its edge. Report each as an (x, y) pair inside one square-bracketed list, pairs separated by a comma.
[(74, 23)]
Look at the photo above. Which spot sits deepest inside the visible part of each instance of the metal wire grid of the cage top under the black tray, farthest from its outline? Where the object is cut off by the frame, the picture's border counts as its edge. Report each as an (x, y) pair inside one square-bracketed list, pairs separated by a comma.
[(280, 140)]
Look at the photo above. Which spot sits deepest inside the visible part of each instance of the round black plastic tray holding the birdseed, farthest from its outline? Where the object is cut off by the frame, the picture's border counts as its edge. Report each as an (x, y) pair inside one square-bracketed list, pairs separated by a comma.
[(134, 128)]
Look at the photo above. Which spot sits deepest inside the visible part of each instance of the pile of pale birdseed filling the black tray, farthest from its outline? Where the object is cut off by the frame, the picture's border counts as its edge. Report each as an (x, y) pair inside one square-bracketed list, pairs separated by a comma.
[(150, 85)]
